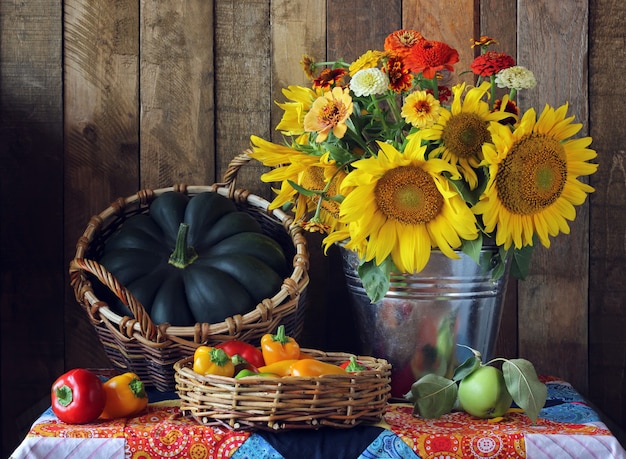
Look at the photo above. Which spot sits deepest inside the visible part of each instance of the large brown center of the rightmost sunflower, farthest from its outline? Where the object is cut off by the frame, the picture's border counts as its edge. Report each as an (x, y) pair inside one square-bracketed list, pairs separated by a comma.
[(532, 175)]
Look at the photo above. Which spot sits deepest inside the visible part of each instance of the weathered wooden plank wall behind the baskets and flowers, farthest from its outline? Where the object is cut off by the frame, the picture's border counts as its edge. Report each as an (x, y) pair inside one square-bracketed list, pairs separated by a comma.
[(98, 99)]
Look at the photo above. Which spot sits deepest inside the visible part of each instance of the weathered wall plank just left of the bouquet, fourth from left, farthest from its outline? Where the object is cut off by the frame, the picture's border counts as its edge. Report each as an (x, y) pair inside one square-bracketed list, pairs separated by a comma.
[(242, 84)]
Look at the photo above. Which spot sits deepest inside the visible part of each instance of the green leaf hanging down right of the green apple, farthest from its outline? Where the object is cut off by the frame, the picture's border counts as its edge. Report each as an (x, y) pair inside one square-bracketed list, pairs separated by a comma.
[(522, 382)]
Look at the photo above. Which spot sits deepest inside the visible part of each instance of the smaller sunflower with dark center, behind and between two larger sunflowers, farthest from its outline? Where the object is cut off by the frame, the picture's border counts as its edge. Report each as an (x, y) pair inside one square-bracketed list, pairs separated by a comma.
[(463, 130)]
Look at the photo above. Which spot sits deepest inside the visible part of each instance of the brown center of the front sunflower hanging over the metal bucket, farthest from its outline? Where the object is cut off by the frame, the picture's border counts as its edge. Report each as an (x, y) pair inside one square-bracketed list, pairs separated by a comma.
[(409, 195)]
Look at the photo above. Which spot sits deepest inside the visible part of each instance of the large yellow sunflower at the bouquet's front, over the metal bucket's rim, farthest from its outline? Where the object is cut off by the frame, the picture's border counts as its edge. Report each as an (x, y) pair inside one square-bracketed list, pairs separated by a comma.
[(402, 205)]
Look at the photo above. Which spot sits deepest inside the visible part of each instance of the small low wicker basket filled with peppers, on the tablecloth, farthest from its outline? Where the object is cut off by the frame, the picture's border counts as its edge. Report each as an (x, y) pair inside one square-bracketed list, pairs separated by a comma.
[(278, 404)]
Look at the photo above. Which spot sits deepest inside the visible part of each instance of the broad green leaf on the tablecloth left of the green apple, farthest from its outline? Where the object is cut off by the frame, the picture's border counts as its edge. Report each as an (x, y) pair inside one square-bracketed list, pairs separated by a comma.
[(432, 396)]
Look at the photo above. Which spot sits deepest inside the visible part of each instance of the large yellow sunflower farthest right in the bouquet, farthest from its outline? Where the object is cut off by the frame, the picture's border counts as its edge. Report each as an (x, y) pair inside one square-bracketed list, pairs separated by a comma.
[(533, 184)]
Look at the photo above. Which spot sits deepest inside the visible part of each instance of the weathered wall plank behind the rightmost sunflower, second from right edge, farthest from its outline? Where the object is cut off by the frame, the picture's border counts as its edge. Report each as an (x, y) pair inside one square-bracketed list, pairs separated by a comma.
[(553, 301)]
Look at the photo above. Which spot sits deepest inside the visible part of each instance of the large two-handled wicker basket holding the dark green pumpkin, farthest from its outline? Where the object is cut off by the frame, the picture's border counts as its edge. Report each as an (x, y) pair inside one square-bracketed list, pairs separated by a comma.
[(150, 350)]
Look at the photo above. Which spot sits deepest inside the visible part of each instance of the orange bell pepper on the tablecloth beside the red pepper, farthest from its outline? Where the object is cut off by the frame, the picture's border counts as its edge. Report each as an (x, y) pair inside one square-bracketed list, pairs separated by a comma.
[(125, 396)]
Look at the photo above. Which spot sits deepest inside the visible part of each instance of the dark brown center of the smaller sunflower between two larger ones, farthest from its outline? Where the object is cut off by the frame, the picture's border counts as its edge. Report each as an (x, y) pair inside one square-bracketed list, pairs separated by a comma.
[(464, 135)]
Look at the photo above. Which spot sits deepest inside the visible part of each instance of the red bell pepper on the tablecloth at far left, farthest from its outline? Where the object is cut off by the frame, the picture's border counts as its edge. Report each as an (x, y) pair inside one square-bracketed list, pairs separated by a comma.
[(78, 397)]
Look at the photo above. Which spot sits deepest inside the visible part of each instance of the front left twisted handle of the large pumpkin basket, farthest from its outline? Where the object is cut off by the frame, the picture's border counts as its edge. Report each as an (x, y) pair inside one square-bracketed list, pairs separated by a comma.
[(78, 268)]
